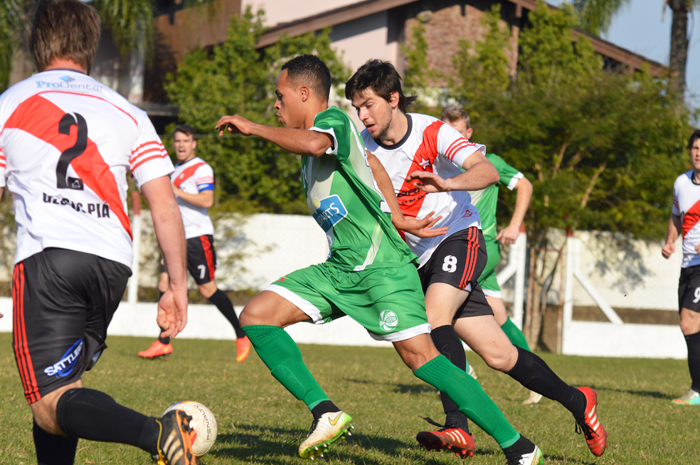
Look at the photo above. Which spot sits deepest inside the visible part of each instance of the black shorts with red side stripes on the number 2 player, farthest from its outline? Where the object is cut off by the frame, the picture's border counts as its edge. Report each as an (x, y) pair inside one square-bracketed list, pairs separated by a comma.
[(63, 302)]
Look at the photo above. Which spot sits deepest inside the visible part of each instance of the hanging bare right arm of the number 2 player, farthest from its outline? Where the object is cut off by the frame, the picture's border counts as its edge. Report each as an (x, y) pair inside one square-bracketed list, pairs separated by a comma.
[(167, 222)]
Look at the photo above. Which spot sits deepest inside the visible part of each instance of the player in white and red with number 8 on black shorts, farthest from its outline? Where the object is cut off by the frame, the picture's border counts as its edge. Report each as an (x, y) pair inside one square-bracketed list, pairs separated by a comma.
[(423, 157)]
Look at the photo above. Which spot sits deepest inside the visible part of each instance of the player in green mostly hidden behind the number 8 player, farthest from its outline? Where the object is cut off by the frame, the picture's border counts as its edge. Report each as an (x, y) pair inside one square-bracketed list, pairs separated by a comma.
[(486, 201)]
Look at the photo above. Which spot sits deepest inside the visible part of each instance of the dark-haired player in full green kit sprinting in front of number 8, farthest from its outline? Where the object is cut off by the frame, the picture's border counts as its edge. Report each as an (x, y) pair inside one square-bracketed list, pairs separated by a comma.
[(370, 274)]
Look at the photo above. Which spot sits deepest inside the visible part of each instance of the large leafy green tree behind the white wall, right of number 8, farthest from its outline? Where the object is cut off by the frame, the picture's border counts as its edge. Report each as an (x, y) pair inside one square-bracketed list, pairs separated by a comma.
[(602, 149)]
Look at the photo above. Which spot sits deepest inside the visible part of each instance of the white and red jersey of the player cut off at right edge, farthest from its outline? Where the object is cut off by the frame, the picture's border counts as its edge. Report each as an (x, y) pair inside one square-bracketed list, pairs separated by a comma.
[(686, 204)]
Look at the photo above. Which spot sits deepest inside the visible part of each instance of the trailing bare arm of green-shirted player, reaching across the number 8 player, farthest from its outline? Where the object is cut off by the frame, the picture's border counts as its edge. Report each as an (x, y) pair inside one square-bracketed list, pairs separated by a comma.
[(420, 228)]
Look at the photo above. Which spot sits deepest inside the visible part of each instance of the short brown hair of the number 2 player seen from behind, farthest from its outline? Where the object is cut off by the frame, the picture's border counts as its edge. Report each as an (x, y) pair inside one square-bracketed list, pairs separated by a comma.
[(68, 29)]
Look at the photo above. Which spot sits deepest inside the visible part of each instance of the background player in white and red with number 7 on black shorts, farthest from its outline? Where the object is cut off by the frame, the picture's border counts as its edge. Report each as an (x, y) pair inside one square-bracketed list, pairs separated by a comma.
[(193, 185)]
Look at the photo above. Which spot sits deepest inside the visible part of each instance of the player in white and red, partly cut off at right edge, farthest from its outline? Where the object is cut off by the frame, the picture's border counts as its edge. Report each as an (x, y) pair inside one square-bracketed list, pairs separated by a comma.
[(685, 220)]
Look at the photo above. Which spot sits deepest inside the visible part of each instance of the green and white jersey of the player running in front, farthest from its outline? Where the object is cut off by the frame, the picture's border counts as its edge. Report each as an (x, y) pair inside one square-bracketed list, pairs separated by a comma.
[(345, 201)]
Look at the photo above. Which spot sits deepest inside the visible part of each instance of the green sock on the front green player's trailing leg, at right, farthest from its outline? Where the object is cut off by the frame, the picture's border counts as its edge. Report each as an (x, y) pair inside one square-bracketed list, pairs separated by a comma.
[(470, 397)]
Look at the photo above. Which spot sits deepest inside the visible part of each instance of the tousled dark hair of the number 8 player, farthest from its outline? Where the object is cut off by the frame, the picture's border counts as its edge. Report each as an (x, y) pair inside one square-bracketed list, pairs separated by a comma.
[(382, 78)]
